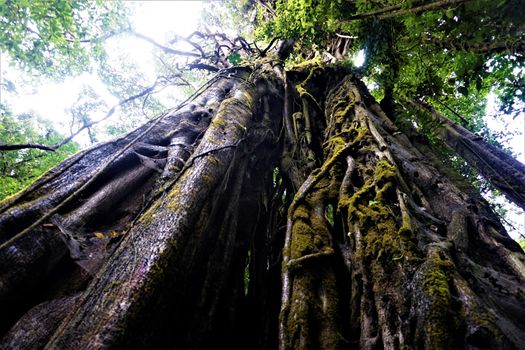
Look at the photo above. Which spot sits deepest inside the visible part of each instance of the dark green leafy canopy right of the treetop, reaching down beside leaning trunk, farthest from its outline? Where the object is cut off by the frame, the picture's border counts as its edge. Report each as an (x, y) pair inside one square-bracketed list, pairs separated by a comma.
[(451, 56)]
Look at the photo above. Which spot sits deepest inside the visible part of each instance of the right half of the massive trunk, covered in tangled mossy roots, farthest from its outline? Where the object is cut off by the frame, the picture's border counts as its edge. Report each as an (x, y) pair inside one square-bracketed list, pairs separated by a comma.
[(407, 260)]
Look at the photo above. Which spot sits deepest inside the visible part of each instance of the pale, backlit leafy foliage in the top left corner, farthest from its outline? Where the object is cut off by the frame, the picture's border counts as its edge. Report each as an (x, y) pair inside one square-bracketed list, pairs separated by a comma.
[(60, 36)]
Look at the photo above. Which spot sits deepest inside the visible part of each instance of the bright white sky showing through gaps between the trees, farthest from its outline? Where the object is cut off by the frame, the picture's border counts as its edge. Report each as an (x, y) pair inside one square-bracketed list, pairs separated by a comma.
[(160, 20)]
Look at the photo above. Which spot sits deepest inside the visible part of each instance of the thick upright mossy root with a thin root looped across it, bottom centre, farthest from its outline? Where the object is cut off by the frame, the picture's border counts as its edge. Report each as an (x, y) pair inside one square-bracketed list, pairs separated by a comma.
[(310, 318)]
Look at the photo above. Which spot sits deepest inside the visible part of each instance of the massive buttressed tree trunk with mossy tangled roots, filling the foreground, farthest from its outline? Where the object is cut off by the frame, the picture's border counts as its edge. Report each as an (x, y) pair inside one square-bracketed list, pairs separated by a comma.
[(266, 212)]
